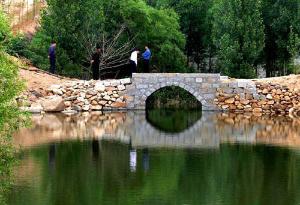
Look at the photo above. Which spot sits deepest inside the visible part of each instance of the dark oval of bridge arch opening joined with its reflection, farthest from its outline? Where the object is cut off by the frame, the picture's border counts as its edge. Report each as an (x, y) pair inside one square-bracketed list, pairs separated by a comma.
[(172, 109)]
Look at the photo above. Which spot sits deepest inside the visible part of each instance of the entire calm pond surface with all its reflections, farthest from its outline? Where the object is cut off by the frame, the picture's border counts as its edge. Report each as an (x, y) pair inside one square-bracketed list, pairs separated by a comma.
[(158, 157)]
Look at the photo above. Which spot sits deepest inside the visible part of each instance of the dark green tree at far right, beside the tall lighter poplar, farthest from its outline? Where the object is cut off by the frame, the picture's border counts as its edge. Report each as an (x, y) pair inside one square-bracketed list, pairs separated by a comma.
[(282, 25)]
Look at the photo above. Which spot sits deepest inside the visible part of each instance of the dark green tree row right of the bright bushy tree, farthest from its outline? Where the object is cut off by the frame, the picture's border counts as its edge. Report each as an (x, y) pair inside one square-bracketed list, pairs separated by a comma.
[(240, 34)]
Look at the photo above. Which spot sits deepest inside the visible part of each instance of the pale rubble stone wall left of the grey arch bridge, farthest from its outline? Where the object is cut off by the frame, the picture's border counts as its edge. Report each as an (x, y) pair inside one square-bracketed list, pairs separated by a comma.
[(76, 96)]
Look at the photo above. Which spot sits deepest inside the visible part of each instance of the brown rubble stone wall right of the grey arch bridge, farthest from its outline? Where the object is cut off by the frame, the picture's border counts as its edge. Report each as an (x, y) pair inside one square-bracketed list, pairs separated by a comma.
[(258, 97)]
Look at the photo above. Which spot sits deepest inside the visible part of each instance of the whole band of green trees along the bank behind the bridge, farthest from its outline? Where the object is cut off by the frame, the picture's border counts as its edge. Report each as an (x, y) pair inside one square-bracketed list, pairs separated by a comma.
[(227, 36)]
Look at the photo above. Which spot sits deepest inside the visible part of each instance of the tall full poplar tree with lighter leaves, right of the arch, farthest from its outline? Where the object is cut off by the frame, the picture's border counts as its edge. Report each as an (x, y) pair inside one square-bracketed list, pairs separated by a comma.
[(238, 35)]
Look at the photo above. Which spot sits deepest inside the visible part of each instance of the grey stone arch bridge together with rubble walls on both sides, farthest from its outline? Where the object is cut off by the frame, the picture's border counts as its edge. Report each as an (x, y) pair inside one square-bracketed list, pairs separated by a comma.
[(215, 92)]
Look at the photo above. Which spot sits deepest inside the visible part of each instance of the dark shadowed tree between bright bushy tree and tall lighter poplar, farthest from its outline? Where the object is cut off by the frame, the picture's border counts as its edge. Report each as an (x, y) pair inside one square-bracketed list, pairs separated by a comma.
[(195, 22)]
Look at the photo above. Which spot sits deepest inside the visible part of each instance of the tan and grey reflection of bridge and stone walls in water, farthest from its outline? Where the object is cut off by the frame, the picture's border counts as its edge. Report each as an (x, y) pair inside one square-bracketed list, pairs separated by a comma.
[(209, 131)]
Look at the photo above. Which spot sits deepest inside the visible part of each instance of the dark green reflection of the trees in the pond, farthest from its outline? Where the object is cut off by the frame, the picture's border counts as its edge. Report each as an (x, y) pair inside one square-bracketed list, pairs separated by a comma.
[(236, 174)]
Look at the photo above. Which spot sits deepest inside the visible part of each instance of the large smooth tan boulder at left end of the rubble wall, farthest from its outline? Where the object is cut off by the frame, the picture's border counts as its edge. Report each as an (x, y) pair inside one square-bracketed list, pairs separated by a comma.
[(53, 104)]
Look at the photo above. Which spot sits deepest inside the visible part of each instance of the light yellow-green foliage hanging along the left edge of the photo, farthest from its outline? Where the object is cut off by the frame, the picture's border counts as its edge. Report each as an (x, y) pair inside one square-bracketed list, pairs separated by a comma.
[(10, 87)]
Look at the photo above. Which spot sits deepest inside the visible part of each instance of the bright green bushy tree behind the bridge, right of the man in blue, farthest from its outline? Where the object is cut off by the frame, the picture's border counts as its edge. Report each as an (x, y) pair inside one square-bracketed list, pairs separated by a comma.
[(160, 30)]
